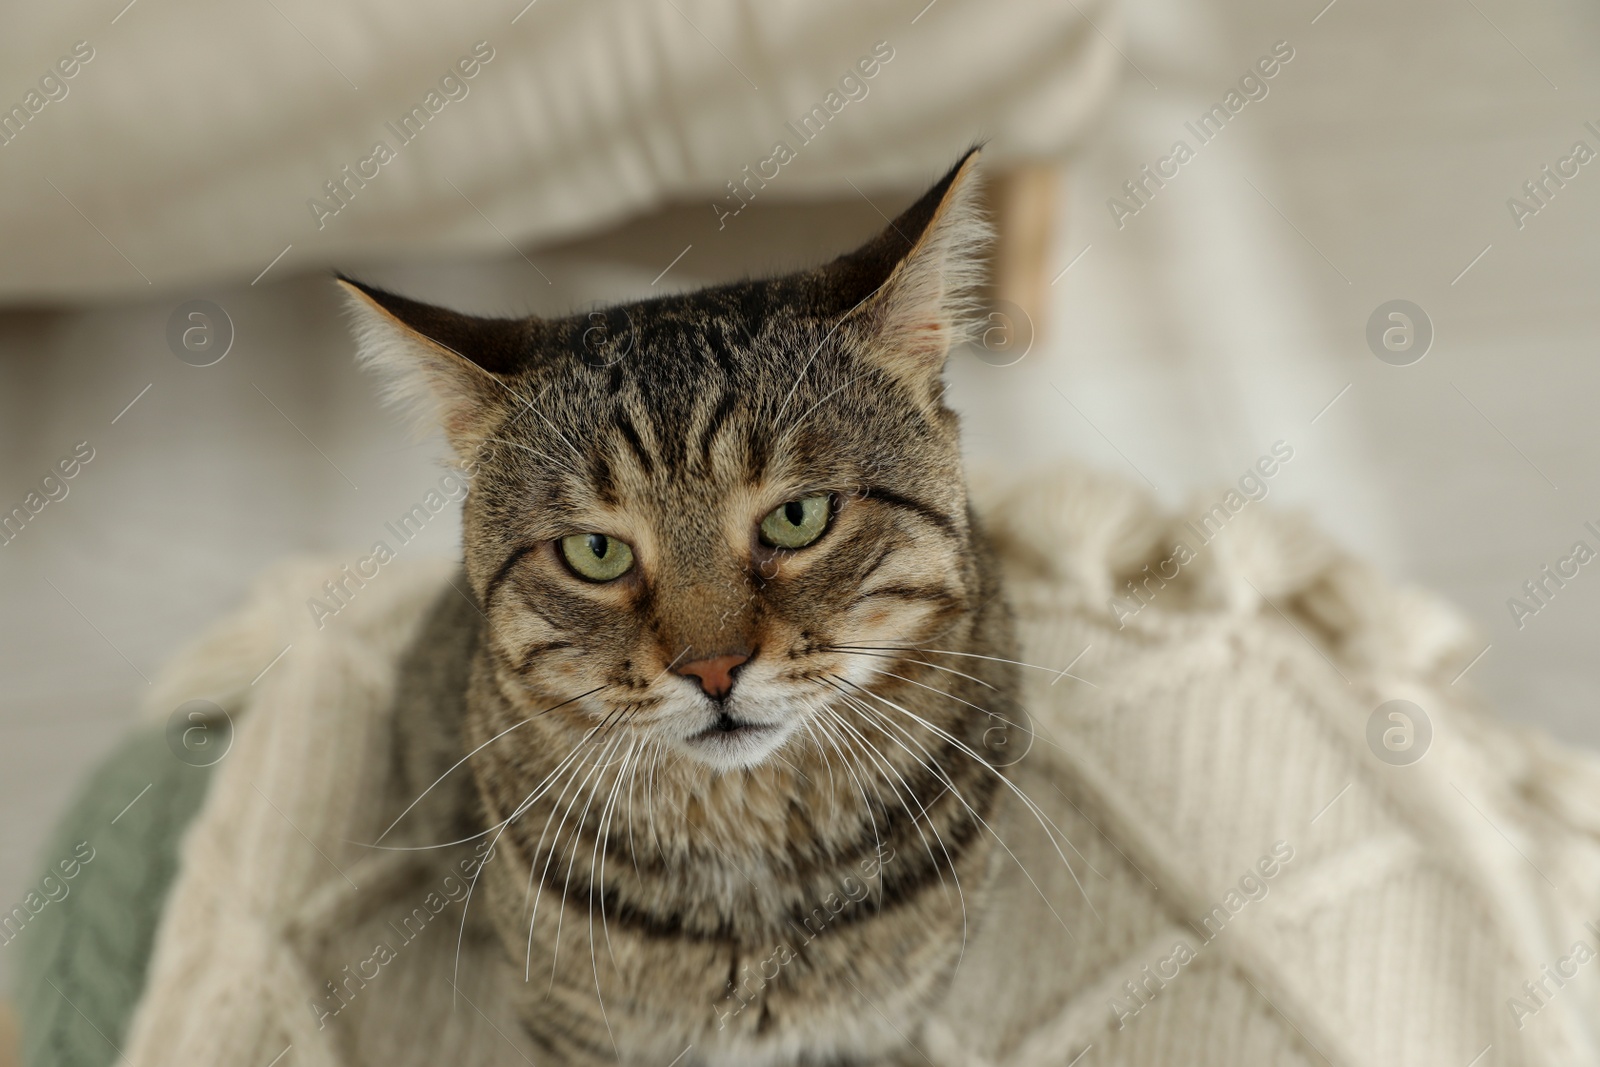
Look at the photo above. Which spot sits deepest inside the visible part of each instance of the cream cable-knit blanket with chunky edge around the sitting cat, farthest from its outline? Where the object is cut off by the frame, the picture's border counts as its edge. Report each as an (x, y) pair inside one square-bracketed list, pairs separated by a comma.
[(1257, 885)]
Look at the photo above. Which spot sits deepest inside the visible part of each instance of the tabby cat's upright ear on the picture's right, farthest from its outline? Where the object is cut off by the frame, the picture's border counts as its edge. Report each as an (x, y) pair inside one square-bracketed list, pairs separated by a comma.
[(932, 266)]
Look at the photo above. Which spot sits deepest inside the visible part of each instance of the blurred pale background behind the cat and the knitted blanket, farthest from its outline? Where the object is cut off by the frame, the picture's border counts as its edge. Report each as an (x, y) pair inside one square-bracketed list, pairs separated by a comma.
[(1172, 340)]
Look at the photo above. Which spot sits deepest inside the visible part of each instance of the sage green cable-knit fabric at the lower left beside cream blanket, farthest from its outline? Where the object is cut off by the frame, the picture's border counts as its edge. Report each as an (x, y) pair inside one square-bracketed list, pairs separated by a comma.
[(81, 959)]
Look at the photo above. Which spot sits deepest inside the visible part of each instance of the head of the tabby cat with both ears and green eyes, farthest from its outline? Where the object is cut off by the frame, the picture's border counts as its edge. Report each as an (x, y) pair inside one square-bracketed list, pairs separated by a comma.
[(686, 508)]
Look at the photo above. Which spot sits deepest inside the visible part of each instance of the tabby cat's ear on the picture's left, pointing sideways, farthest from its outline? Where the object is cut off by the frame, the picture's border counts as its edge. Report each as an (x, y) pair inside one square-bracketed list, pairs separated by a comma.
[(444, 369)]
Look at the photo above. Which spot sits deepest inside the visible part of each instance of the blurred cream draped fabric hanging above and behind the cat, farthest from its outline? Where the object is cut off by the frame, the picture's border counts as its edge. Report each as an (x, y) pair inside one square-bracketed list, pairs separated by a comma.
[(194, 142)]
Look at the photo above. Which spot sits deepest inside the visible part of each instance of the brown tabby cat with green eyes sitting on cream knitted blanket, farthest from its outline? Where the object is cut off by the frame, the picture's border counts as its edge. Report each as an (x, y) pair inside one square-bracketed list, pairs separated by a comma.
[(734, 673)]
